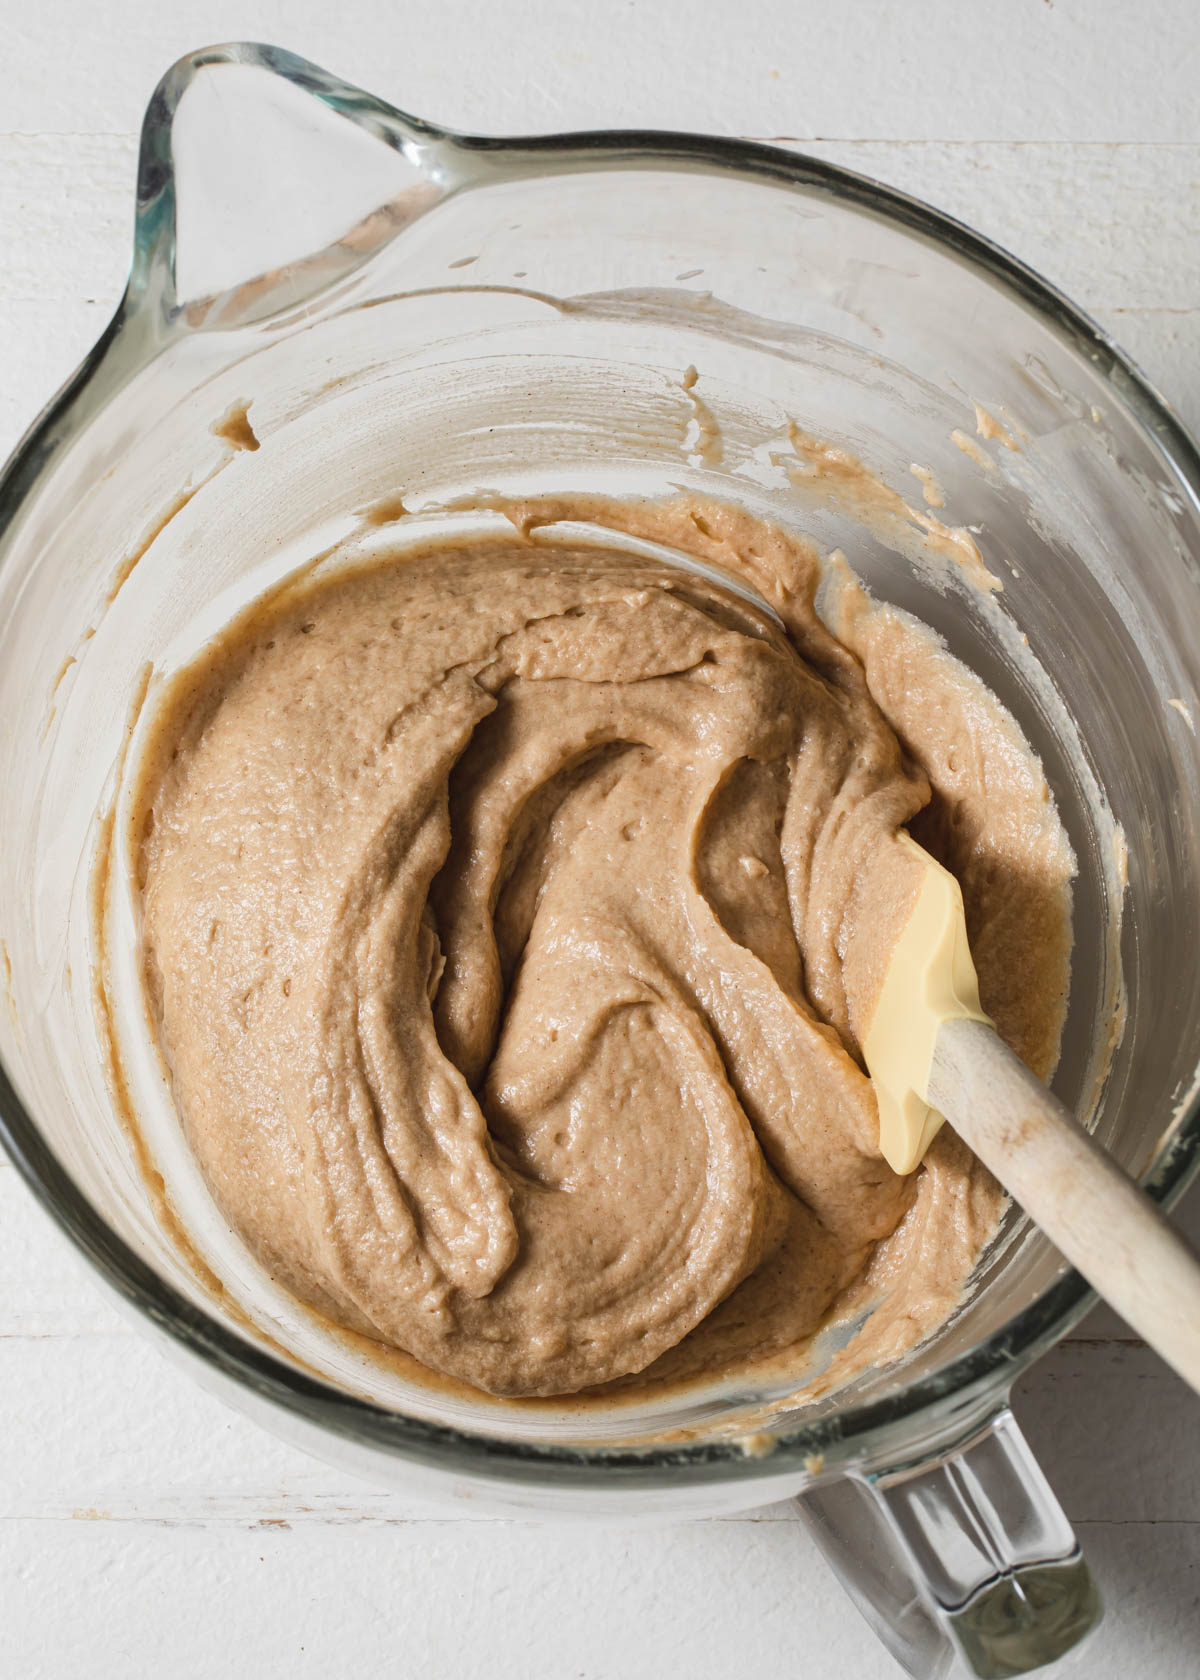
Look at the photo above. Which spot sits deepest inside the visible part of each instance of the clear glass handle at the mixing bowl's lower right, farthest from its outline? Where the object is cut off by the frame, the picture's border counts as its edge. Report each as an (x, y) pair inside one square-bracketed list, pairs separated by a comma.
[(962, 1555)]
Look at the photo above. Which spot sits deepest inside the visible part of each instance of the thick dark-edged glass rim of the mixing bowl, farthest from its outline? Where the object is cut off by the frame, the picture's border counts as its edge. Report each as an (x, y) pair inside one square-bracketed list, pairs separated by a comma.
[(964, 1385)]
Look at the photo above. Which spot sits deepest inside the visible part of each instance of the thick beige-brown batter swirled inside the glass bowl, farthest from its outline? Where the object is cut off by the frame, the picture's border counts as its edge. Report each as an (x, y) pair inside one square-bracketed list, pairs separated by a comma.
[(512, 911)]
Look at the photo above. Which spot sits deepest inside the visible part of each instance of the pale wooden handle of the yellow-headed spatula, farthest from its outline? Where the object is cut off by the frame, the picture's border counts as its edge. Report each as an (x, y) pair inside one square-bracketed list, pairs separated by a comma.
[(1097, 1217)]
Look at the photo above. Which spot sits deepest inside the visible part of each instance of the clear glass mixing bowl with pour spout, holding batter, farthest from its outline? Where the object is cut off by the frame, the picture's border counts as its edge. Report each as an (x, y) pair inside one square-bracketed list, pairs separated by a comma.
[(423, 315)]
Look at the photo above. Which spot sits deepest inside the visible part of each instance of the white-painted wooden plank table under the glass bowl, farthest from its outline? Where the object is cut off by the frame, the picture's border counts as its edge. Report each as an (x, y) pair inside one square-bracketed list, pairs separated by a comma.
[(145, 1530)]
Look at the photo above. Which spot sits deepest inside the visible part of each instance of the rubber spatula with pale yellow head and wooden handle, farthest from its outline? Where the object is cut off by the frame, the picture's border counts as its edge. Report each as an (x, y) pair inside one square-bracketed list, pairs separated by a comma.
[(934, 1054)]
